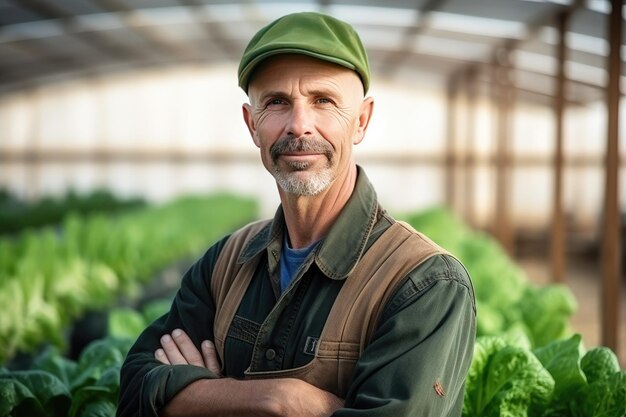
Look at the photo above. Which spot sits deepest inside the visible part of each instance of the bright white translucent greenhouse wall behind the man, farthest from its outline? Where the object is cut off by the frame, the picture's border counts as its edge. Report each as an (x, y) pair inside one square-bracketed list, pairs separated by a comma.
[(197, 111)]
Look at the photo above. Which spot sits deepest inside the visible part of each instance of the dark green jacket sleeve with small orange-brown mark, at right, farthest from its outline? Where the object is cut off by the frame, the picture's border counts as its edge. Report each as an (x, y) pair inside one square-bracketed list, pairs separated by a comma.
[(419, 356)]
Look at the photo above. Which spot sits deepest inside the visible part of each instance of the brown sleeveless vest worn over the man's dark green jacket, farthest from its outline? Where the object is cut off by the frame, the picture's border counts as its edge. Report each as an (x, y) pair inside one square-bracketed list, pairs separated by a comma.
[(354, 314)]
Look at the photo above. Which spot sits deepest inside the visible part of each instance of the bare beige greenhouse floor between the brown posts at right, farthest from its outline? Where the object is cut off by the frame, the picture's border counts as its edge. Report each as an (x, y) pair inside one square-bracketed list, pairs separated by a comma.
[(583, 277)]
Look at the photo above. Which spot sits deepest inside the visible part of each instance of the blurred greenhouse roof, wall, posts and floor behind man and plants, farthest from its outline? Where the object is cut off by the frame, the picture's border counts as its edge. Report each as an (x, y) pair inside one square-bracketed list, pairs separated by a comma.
[(505, 112)]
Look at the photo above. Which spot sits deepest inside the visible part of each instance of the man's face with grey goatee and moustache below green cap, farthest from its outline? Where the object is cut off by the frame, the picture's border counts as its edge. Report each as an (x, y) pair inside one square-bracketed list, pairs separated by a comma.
[(305, 115)]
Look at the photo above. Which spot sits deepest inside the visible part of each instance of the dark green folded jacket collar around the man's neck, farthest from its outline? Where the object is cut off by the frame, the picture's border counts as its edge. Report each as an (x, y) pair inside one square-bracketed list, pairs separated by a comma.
[(340, 251)]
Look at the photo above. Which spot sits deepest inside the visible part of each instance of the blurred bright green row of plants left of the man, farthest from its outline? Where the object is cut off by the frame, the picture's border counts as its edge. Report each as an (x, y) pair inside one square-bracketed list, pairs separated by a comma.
[(49, 279)]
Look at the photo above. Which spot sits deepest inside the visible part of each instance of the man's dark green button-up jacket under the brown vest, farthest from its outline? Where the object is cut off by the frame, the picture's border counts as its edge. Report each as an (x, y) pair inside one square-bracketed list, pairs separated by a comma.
[(415, 364)]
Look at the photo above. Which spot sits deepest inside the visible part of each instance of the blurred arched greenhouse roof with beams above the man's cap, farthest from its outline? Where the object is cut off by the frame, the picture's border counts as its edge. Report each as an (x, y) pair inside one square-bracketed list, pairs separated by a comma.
[(422, 42)]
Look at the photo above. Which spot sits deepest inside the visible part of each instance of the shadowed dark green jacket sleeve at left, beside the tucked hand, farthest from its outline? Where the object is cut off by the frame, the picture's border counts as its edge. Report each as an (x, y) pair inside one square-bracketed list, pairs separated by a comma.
[(146, 384)]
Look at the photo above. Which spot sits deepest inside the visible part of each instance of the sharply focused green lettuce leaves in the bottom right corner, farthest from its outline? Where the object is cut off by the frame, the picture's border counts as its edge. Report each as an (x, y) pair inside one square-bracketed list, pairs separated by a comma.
[(560, 379)]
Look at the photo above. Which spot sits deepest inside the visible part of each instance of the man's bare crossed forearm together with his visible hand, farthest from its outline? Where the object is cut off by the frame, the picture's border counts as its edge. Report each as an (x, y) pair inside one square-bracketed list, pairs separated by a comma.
[(228, 397)]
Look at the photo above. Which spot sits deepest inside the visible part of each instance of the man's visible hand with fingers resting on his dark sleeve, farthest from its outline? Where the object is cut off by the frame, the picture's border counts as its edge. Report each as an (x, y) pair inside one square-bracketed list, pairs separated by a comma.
[(178, 349)]
